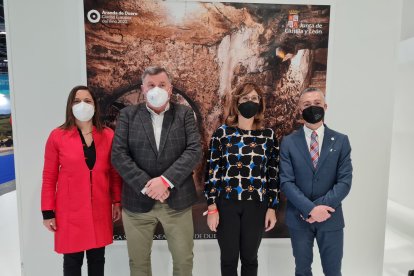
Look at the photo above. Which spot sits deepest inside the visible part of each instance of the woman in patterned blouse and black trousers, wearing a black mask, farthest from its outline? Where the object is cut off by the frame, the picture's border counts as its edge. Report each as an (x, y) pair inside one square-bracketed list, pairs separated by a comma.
[(242, 182)]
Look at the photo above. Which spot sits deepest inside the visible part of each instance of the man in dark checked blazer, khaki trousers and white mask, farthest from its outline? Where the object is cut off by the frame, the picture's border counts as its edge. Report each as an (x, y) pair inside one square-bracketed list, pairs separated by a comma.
[(155, 149)]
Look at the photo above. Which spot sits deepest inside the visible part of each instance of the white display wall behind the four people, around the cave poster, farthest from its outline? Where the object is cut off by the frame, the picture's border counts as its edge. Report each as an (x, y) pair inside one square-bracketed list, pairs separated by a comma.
[(47, 58)]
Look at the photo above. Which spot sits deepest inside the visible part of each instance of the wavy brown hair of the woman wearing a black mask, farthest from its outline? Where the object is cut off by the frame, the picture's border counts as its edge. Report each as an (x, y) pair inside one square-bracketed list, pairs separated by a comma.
[(240, 91)]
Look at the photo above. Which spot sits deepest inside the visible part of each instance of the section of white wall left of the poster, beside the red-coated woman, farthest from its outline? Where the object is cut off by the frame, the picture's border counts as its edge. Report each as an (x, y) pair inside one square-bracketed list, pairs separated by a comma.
[(45, 50)]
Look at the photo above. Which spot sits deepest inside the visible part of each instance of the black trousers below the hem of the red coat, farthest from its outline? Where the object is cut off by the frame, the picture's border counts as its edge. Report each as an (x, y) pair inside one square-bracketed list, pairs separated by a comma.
[(72, 262)]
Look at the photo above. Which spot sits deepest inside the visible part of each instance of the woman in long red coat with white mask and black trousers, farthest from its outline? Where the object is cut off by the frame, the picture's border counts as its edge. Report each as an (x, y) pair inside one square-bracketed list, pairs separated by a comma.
[(81, 191)]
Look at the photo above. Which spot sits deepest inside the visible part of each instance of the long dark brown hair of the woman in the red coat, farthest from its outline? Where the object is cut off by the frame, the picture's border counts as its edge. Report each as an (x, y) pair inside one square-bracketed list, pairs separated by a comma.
[(70, 118)]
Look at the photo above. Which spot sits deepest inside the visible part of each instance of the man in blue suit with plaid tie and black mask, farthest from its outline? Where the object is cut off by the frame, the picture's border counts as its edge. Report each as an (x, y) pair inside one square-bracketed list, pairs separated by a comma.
[(315, 176)]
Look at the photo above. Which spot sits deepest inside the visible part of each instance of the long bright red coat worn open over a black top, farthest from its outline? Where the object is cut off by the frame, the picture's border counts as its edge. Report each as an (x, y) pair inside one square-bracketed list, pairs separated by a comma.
[(82, 199)]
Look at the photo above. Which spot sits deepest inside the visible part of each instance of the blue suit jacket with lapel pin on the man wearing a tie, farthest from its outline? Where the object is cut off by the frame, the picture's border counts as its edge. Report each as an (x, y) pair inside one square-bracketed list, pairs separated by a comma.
[(306, 187)]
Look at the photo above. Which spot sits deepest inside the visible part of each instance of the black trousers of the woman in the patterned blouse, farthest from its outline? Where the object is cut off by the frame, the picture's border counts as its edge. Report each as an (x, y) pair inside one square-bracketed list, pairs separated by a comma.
[(239, 233)]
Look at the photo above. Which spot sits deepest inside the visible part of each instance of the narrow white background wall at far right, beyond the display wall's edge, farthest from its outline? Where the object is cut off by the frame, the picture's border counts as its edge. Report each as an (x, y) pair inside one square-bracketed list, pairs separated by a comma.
[(401, 187)]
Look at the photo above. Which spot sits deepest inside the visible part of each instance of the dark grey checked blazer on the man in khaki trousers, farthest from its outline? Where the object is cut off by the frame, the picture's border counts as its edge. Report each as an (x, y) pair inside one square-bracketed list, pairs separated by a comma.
[(135, 155)]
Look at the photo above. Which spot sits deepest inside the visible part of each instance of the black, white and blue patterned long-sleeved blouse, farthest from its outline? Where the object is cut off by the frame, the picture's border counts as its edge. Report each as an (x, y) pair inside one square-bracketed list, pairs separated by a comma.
[(243, 165)]
